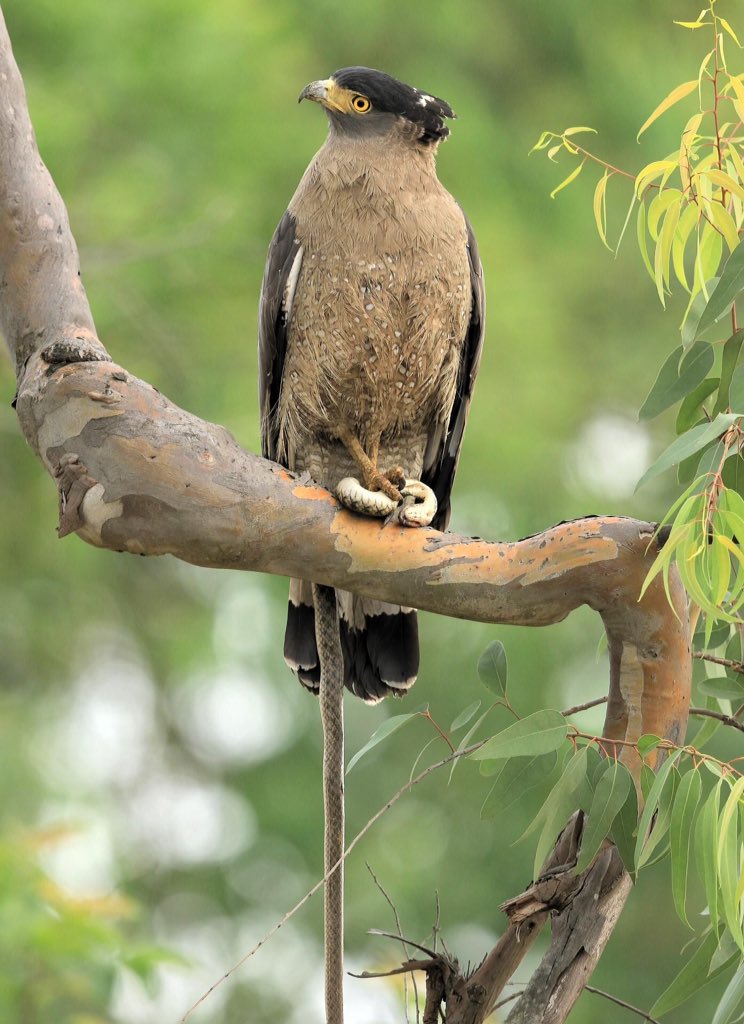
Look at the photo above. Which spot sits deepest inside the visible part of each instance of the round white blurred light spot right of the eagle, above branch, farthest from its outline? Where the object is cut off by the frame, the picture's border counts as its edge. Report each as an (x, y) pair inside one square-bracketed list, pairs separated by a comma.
[(610, 455)]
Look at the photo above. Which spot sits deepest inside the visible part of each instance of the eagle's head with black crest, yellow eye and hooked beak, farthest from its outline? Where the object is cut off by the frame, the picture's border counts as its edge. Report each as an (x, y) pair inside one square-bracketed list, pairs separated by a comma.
[(364, 103)]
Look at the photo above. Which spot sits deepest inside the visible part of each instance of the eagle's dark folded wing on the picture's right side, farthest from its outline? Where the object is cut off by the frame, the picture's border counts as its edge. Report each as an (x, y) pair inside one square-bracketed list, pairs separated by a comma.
[(443, 455)]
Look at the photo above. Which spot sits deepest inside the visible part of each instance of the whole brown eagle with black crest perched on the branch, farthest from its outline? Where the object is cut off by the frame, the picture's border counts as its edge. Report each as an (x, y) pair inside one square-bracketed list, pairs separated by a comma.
[(372, 323)]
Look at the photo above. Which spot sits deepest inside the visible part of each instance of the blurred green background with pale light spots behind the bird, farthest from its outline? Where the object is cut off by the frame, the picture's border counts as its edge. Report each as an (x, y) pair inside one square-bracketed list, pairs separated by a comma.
[(161, 767)]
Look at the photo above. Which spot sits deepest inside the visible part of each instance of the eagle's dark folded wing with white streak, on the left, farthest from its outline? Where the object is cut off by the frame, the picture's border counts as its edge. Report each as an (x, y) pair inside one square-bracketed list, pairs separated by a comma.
[(283, 268)]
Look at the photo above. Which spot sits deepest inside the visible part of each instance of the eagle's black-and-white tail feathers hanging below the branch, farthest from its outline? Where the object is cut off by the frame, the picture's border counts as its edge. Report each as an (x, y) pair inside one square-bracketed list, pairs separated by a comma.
[(380, 643)]
